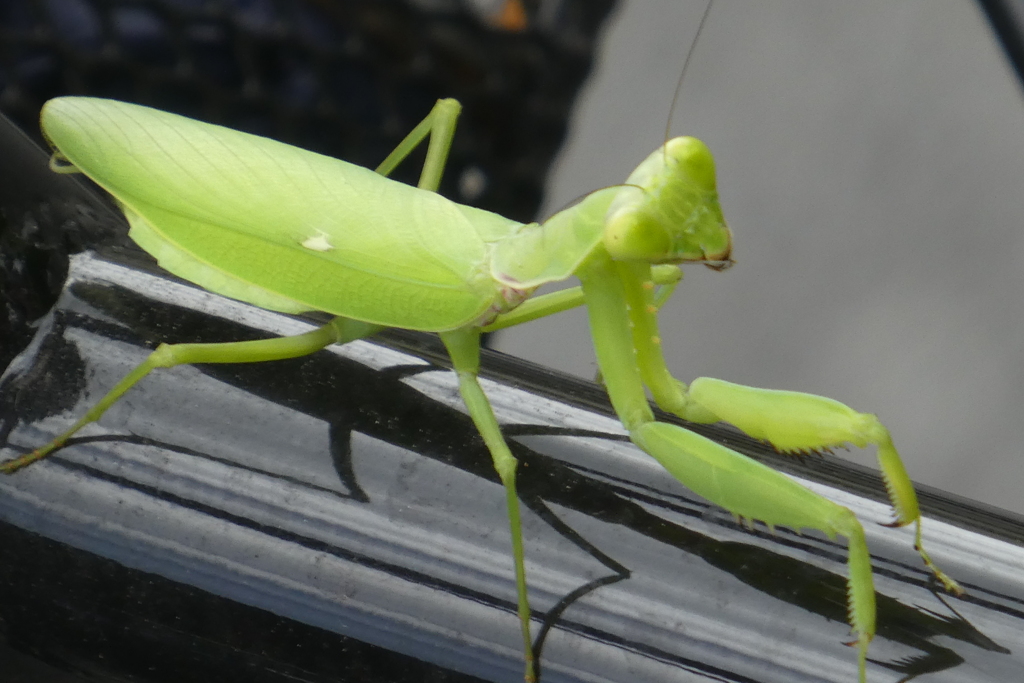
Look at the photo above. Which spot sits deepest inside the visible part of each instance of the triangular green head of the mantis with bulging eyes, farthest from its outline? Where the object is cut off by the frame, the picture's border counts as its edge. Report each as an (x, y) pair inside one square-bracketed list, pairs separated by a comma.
[(668, 211)]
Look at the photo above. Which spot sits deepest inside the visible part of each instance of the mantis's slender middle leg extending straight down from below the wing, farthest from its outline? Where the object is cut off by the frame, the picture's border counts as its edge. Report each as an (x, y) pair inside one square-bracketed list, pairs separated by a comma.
[(464, 348)]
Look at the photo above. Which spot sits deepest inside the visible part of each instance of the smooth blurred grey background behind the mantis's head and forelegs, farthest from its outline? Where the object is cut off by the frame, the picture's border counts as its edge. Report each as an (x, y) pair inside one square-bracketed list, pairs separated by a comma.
[(871, 163)]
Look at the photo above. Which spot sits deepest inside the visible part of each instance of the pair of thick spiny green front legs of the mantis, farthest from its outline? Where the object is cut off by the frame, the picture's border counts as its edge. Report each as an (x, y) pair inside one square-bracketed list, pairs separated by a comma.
[(623, 317)]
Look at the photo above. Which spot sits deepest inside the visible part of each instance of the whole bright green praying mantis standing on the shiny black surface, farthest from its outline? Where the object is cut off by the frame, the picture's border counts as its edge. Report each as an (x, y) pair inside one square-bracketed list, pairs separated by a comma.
[(294, 232)]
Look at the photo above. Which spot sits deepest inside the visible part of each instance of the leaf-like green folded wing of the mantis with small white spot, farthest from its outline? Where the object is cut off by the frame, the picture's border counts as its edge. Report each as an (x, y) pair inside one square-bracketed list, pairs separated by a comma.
[(279, 227)]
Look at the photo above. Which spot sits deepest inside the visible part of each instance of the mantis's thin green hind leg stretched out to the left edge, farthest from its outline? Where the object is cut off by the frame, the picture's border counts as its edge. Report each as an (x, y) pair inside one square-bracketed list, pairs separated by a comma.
[(168, 356)]
